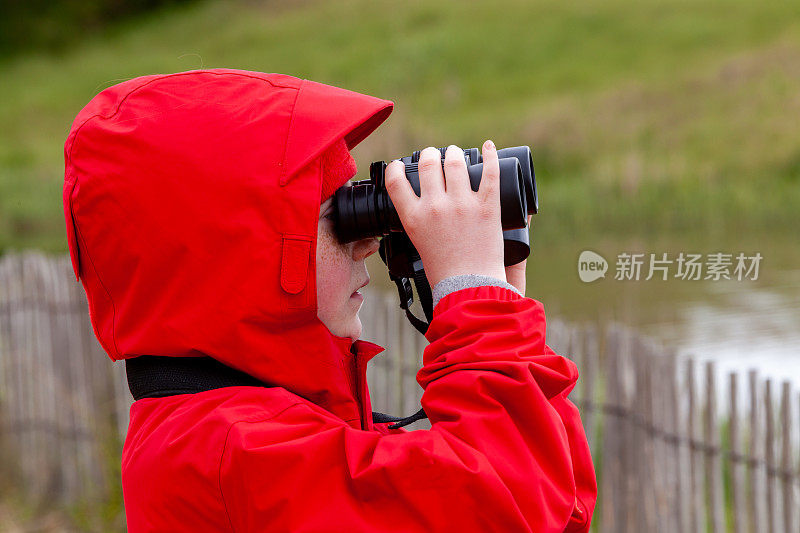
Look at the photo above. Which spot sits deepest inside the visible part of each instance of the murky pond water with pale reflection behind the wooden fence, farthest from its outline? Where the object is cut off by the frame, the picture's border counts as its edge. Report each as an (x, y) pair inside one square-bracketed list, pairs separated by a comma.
[(742, 325)]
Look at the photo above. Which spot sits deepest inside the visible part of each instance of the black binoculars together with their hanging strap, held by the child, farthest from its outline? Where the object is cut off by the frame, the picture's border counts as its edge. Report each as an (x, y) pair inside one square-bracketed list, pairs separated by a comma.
[(365, 210)]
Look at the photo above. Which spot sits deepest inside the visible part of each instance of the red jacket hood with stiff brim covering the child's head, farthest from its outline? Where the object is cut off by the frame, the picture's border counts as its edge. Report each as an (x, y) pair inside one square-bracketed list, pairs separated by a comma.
[(191, 203)]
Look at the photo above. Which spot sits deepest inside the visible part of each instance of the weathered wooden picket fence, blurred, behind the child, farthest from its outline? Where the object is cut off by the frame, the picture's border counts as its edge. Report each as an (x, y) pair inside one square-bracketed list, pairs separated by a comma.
[(677, 447)]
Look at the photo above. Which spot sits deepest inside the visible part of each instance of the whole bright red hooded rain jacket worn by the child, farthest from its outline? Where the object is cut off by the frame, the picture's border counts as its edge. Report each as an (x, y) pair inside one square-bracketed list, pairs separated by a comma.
[(191, 204)]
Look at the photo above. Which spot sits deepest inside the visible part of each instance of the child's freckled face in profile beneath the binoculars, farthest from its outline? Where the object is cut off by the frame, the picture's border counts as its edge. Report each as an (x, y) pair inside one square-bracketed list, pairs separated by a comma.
[(340, 272)]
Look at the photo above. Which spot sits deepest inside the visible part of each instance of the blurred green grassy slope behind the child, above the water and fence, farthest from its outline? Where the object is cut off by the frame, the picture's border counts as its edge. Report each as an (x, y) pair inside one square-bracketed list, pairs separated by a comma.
[(645, 117)]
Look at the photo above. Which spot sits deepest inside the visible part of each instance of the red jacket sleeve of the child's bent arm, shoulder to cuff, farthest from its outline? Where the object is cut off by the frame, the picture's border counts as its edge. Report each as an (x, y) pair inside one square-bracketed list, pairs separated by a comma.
[(506, 450)]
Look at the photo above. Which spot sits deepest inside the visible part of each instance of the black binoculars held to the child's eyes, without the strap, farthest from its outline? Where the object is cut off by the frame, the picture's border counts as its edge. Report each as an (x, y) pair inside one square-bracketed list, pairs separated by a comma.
[(365, 210)]
